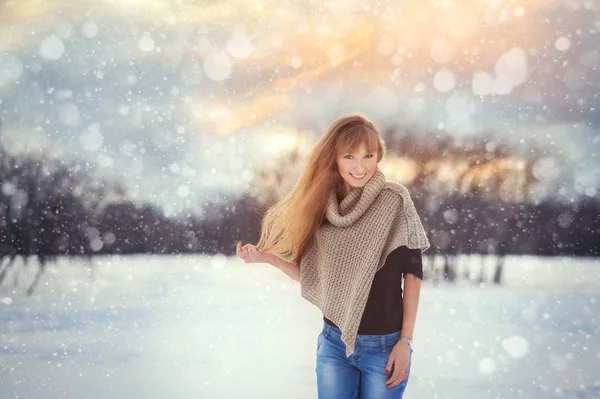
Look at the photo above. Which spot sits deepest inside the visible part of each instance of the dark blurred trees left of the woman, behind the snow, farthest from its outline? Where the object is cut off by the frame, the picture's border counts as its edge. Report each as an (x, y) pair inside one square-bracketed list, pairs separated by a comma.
[(51, 208)]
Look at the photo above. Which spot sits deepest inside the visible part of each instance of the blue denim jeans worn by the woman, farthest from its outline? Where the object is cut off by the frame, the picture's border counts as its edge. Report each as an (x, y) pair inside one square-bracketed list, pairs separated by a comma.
[(362, 375)]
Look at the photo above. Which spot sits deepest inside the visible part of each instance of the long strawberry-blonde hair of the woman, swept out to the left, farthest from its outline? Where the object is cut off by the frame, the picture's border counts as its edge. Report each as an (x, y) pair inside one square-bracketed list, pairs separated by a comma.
[(290, 225)]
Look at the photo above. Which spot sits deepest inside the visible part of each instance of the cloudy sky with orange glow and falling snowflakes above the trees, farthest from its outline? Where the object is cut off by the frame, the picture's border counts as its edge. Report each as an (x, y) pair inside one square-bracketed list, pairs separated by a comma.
[(179, 100)]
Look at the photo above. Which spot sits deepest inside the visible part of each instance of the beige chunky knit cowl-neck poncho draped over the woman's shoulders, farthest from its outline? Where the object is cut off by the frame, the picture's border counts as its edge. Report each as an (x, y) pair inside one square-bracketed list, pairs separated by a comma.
[(356, 237)]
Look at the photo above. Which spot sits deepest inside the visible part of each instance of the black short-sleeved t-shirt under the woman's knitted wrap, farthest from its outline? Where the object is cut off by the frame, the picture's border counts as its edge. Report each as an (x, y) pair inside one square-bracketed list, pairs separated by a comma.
[(383, 312)]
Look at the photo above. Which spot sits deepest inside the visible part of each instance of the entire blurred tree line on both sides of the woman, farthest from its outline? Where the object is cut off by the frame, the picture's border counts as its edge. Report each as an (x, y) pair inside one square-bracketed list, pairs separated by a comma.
[(472, 198)]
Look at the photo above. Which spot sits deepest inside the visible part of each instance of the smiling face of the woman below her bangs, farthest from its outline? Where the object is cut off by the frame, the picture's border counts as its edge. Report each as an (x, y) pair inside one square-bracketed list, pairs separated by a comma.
[(357, 168)]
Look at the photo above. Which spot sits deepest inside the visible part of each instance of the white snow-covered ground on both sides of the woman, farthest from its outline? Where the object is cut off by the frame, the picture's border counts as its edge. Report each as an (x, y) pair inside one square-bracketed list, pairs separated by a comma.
[(214, 327)]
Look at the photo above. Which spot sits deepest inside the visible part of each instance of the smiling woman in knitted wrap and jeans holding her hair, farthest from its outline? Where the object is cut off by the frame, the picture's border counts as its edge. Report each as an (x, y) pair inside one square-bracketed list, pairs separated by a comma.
[(348, 237)]
